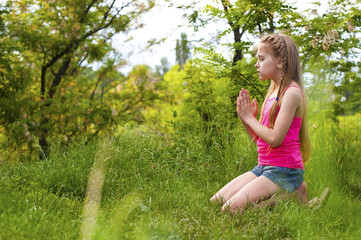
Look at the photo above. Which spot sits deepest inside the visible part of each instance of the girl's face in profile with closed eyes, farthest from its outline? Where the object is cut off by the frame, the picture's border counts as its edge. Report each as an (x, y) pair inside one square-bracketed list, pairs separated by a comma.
[(268, 66)]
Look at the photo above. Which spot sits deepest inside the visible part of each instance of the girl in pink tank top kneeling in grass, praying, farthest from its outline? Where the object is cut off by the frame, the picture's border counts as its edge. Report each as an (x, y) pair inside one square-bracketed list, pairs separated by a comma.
[(281, 133)]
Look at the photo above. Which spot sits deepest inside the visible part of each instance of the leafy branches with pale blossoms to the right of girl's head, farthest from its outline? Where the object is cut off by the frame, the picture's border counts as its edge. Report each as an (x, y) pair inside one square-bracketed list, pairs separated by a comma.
[(329, 48)]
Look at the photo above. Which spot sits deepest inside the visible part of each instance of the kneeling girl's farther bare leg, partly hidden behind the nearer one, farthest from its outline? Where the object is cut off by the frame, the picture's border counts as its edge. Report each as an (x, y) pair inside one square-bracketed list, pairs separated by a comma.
[(229, 190)]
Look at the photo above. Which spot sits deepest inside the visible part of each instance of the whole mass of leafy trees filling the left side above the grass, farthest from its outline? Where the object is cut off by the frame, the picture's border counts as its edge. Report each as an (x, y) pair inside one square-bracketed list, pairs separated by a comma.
[(48, 45)]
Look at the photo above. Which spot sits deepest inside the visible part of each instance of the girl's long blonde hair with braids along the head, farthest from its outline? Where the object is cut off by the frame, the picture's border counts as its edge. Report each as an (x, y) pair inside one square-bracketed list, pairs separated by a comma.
[(283, 47)]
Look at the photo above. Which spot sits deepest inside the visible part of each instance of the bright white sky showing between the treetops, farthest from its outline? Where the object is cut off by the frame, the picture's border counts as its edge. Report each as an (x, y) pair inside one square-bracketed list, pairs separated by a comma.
[(164, 22)]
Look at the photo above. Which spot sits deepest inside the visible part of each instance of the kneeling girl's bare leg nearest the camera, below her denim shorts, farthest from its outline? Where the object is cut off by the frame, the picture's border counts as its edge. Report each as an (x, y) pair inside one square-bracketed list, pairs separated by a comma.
[(258, 189)]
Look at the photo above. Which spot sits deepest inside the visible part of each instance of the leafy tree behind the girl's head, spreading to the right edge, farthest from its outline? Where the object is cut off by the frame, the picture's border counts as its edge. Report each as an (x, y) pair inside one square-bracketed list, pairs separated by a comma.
[(329, 38)]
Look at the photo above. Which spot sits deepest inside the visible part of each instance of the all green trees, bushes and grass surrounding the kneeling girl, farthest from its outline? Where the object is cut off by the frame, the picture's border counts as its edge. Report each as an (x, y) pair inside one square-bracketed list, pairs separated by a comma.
[(99, 154)]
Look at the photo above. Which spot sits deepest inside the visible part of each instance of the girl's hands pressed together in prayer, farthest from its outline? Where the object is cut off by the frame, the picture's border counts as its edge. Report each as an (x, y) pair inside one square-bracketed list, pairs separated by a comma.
[(246, 108)]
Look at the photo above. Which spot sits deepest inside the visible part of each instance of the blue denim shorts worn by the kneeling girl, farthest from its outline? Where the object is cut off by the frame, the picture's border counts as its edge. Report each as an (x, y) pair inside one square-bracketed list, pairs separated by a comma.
[(288, 179)]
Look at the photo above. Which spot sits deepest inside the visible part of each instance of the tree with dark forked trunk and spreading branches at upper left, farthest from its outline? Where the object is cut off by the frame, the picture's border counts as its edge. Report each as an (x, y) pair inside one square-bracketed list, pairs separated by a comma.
[(60, 38)]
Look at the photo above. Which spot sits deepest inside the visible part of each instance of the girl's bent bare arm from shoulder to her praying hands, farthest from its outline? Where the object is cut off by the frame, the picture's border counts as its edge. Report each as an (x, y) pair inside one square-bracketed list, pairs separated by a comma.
[(274, 137)]
